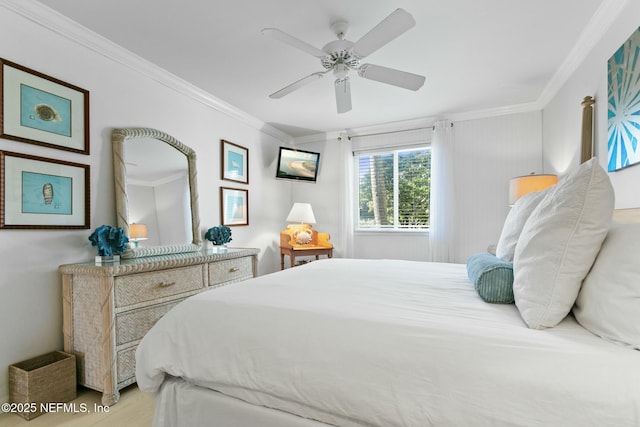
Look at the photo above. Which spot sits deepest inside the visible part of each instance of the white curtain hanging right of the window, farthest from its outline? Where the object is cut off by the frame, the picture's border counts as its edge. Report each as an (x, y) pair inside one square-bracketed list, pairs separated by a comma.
[(442, 209)]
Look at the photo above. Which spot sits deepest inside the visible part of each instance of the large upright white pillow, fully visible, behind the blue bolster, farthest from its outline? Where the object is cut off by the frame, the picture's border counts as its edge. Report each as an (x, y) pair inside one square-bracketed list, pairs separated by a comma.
[(559, 243)]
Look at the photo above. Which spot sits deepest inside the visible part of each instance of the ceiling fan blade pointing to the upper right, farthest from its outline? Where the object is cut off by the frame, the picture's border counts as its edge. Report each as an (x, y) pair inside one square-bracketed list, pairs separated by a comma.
[(391, 27)]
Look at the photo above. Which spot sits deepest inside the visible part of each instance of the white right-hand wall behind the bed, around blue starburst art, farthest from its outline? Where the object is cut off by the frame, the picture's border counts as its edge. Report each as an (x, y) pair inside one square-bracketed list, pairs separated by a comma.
[(562, 117)]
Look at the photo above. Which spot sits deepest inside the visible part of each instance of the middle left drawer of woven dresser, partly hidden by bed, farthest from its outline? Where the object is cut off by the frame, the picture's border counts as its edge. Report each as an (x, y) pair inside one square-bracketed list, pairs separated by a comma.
[(133, 325)]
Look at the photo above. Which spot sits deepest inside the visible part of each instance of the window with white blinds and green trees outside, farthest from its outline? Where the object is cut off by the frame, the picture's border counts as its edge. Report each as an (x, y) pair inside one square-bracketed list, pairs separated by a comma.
[(394, 187)]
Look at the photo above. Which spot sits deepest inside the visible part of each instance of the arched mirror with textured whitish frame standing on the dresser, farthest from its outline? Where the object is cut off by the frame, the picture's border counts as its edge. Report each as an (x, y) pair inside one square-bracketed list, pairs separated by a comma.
[(155, 186)]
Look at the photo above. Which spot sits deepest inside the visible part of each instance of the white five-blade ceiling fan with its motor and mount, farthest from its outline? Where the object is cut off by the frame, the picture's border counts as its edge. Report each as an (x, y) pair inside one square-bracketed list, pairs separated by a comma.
[(342, 56)]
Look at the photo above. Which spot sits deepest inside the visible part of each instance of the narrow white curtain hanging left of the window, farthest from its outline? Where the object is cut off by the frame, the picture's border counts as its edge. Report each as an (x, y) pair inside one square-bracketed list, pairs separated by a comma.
[(346, 196)]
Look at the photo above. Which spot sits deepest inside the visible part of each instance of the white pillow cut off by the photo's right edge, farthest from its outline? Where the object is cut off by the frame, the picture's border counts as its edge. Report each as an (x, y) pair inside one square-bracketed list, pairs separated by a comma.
[(609, 302)]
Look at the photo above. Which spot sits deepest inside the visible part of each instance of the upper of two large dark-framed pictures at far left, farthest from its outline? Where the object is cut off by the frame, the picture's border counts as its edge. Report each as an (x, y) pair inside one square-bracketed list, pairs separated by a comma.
[(39, 109)]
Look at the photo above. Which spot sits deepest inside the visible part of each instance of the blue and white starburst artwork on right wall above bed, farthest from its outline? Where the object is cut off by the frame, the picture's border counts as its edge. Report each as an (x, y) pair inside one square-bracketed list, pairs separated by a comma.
[(623, 126)]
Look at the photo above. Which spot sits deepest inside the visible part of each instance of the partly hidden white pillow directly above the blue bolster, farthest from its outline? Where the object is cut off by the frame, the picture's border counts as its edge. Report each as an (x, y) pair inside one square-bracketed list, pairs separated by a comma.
[(514, 223)]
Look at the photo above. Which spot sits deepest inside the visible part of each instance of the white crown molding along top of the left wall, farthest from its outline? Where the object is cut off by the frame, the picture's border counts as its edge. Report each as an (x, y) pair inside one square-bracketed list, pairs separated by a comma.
[(65, 27)]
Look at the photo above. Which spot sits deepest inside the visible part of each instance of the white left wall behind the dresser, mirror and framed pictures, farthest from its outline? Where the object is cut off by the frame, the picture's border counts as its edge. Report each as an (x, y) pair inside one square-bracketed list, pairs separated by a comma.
[(30, 285)]
